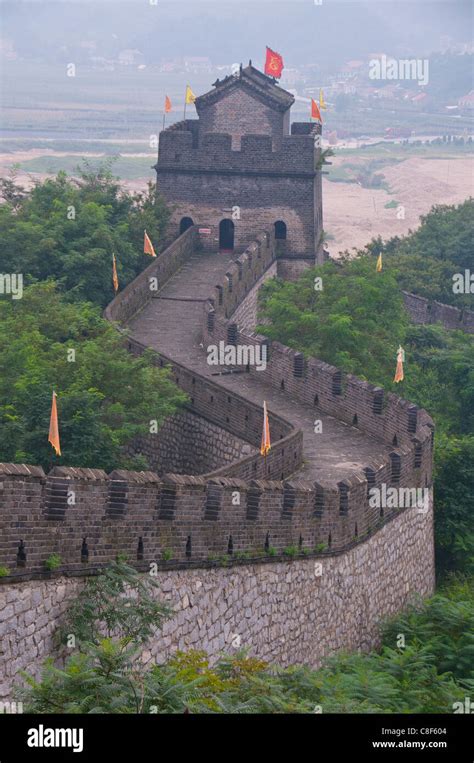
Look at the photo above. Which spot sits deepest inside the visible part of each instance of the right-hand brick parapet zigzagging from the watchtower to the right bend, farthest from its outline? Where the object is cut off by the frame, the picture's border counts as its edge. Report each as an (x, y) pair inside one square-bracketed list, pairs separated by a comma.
[(310, 380)]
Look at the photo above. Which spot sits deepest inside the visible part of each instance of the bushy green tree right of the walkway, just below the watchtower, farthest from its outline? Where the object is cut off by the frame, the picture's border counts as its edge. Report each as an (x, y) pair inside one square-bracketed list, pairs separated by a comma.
[(356, 321)]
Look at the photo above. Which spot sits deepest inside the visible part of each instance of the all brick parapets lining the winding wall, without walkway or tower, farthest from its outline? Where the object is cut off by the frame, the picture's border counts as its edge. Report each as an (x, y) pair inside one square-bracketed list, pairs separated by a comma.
[(243, 507)]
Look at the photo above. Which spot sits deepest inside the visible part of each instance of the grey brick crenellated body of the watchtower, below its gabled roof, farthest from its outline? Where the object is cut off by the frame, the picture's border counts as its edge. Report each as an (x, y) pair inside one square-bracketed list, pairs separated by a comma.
[(203, 177)]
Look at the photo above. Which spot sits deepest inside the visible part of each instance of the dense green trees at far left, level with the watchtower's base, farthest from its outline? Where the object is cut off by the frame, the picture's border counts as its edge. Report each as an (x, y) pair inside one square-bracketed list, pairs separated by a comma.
[(68, 228)]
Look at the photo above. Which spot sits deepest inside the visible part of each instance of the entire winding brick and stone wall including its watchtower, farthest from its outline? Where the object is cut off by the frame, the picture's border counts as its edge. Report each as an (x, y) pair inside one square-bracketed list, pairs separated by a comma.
[(285, 555)]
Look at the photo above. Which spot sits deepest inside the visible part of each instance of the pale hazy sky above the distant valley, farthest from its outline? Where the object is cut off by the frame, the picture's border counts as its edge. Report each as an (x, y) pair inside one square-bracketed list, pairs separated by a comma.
[(234, 31)]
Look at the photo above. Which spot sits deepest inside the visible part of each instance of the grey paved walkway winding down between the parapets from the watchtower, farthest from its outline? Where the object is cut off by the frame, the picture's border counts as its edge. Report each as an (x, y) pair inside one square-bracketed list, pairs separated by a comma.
[(171, 323)]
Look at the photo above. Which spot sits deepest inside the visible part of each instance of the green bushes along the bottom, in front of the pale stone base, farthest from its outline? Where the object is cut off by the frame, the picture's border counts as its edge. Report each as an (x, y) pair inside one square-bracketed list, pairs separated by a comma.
[(117, 613)]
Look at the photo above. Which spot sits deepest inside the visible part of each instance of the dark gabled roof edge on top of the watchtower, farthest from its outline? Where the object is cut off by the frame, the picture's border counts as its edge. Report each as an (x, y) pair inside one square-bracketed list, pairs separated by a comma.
[(255, 82)]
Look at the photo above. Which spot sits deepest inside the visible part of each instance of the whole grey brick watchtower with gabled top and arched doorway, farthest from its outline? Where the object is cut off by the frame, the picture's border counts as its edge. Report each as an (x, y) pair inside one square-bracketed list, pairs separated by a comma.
[(239, 170)]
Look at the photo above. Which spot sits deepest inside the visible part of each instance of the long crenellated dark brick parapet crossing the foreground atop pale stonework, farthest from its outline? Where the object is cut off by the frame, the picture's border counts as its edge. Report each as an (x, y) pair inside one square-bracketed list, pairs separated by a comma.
[(86, 517)]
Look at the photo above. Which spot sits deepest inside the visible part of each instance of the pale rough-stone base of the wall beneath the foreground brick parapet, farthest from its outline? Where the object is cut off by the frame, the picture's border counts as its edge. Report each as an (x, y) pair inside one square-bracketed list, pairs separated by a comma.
[(287, 612)]
